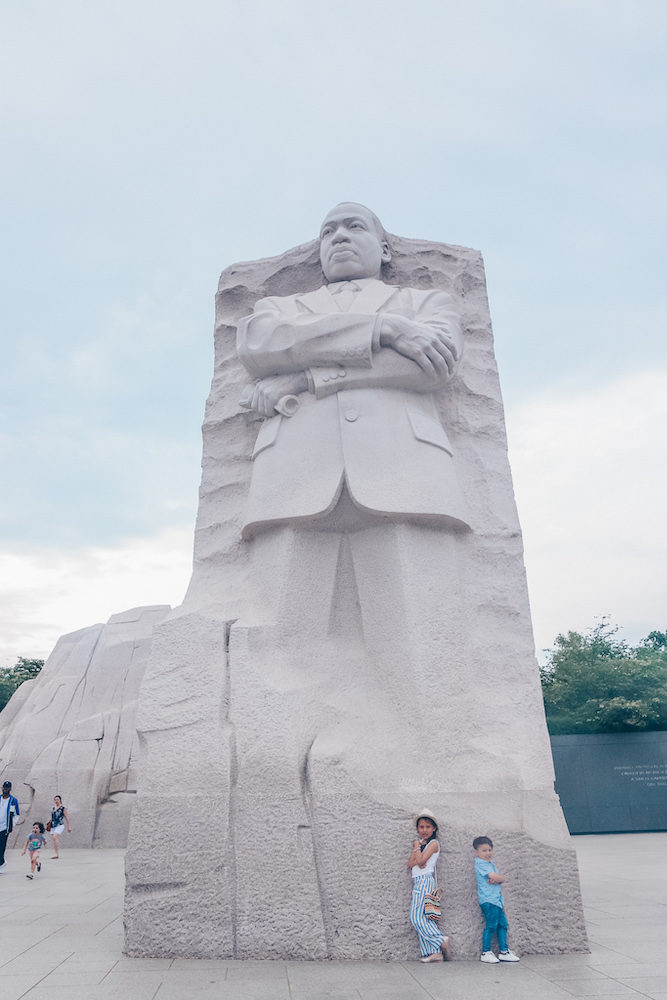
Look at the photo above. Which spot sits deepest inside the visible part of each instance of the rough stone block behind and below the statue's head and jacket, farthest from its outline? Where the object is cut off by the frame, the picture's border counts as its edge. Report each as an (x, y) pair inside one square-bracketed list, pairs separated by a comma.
[(305, 755)]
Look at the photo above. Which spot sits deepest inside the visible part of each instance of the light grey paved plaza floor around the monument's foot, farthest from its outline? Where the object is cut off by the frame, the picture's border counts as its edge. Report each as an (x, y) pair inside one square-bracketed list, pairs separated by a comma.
[(61, 935)]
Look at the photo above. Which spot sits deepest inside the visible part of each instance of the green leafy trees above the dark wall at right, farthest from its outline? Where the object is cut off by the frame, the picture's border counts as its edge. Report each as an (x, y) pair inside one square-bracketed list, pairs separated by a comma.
[(597, 683)]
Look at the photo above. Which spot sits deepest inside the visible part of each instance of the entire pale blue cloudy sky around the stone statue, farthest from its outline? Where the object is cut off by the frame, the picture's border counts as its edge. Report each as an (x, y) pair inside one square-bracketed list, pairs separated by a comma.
[(147, 144)]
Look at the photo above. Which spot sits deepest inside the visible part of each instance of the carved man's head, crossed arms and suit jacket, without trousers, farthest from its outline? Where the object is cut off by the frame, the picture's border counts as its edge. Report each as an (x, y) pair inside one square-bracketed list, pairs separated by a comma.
[(363, 357)]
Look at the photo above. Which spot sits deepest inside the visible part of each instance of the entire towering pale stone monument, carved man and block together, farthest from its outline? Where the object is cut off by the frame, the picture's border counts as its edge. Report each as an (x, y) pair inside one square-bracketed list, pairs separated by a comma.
[(366, 650)]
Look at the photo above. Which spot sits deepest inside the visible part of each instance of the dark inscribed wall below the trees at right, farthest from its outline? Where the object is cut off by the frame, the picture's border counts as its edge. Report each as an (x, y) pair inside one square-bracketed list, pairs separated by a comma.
[(612, 783)]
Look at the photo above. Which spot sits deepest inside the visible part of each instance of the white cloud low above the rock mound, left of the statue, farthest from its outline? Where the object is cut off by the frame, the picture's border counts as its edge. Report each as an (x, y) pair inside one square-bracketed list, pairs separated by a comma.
[(46, 593)]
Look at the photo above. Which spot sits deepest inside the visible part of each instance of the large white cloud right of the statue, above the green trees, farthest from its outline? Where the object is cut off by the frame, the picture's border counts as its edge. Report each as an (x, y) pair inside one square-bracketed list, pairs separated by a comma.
[(590, 479)]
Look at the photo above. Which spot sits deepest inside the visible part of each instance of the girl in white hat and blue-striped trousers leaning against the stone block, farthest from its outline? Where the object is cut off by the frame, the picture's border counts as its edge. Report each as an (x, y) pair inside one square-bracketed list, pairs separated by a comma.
[(423, 858)]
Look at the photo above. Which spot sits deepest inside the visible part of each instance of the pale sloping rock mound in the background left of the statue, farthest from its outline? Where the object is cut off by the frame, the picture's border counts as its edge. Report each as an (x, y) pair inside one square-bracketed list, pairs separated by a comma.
[(72, 730)]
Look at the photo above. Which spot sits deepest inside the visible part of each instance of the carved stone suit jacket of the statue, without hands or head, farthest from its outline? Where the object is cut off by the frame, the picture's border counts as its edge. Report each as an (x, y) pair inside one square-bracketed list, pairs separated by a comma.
[(369, 419)]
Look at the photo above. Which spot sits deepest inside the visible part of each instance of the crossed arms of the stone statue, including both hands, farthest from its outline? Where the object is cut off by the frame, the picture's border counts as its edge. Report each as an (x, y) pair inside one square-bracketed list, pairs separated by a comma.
[(329, 353)]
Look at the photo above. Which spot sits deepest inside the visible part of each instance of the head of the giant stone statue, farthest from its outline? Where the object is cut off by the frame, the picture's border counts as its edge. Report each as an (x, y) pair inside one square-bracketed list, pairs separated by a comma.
[(353, 243)]
